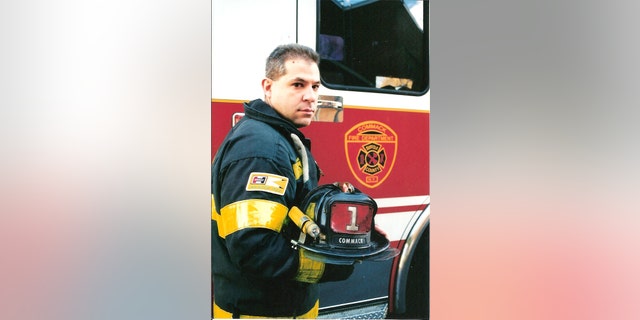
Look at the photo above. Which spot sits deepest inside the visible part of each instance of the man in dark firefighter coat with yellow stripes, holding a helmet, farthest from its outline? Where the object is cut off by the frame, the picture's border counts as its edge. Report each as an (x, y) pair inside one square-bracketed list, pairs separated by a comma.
[(262, 170)]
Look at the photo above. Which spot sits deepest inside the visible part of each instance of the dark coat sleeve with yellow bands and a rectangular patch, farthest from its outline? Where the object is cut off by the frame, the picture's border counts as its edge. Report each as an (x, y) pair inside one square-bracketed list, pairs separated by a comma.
[(256, 193)]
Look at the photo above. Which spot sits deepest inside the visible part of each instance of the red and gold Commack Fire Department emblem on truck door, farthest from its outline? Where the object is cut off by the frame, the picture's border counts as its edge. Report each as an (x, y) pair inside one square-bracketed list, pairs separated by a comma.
[(371, 150)]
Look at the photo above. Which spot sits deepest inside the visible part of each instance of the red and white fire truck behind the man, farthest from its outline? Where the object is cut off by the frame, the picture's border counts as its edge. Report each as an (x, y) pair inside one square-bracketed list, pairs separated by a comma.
[(371, 128)]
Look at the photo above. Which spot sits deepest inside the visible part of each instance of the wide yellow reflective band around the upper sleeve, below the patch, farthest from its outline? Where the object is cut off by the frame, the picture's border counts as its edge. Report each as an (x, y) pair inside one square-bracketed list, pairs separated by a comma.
[(251, 213)]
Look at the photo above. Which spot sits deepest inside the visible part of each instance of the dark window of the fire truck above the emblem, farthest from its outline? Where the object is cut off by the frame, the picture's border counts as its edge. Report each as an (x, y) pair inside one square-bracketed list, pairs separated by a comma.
[(374, 45)]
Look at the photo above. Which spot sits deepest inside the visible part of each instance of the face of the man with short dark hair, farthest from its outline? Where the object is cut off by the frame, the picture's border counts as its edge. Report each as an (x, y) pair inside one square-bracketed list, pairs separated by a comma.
[(295, 94)]
